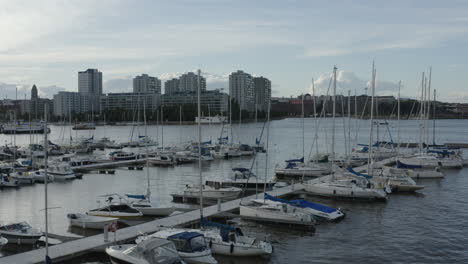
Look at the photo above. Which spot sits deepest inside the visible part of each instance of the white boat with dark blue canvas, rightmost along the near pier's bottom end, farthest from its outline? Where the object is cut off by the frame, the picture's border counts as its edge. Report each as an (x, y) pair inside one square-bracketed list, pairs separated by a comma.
[(230, 241)]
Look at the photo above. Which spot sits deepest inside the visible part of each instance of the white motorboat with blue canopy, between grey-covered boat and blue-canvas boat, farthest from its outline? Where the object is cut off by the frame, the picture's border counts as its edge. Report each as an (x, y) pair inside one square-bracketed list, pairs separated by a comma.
[(190, 245)]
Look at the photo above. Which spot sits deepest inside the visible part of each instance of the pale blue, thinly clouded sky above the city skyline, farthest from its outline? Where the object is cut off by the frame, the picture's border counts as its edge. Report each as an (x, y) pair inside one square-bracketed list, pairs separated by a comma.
[(290, 42)]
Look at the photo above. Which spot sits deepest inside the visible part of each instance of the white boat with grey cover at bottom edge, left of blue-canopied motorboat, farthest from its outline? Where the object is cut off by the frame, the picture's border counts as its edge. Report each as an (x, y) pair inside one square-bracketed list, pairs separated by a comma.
[(150, 251)]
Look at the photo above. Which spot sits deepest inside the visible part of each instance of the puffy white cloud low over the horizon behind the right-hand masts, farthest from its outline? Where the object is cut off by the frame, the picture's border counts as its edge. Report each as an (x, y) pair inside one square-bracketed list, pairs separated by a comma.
[(346, 80)]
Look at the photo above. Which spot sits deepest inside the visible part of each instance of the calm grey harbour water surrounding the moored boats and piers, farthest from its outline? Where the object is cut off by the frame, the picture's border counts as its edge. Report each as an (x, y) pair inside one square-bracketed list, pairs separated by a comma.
[(428, 227)]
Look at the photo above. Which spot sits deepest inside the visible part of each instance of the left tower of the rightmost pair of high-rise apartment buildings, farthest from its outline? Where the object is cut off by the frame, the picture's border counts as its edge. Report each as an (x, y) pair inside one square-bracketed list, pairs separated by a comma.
[(241, 88)]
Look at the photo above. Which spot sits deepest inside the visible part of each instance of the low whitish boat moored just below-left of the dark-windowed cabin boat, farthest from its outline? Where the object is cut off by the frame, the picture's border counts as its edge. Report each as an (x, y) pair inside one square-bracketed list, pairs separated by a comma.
[(212, 192)]
